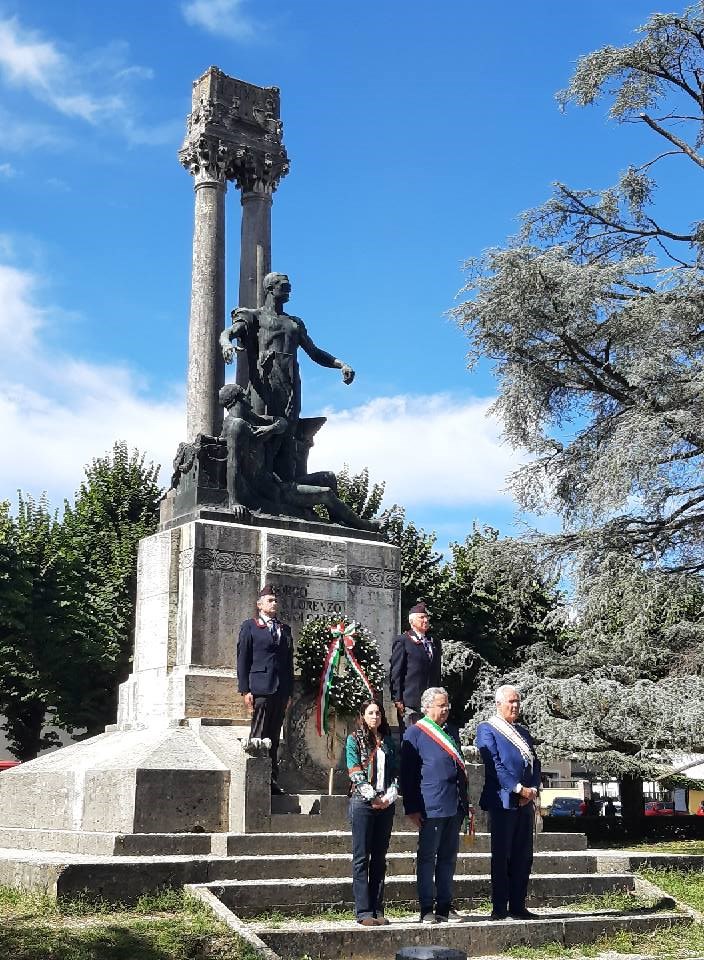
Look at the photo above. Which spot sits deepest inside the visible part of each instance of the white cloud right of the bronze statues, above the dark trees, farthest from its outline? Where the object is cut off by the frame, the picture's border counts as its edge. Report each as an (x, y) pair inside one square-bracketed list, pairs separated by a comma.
[(432, 450)]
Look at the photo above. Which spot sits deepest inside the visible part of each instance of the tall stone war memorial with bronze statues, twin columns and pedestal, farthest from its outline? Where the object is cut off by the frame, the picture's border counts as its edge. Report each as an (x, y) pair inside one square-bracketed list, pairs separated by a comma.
[(240, 513)]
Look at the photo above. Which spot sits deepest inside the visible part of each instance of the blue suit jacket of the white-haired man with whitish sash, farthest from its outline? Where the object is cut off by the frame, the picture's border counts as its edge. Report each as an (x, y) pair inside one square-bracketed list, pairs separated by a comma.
[(504, 767)]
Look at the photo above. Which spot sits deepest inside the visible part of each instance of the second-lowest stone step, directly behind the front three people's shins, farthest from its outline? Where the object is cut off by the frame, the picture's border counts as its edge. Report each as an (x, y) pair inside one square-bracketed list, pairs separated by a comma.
[(249, 898)]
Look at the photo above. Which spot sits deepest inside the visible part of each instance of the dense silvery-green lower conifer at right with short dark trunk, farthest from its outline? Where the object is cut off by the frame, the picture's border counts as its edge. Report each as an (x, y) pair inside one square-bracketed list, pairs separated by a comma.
[(618, 689)]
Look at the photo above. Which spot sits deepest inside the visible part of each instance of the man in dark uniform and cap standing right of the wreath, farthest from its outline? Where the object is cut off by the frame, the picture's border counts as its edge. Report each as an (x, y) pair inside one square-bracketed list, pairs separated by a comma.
[(415, 666)]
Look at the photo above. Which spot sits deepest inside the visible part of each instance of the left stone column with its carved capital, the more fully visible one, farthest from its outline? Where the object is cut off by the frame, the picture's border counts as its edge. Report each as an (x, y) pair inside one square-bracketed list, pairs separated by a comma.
[(206, 161)]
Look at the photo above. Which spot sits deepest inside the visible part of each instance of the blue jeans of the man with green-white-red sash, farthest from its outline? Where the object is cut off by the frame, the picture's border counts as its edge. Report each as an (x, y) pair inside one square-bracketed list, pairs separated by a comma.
[(438, 843)]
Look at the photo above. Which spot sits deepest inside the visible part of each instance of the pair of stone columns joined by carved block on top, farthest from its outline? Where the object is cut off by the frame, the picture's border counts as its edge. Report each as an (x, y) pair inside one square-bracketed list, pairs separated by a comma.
[(233, 132)]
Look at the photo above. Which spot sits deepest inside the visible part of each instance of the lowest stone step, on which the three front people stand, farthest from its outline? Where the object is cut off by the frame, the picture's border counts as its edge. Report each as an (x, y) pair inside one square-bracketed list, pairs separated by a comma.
[(475, 937)]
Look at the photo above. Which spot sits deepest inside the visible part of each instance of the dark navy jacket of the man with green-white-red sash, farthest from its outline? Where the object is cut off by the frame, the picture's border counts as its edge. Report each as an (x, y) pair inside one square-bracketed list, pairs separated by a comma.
[(431, 781)]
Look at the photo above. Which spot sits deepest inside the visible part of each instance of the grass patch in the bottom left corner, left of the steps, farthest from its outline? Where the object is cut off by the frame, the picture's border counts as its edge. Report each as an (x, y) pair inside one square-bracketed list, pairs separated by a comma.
[(165, 926)]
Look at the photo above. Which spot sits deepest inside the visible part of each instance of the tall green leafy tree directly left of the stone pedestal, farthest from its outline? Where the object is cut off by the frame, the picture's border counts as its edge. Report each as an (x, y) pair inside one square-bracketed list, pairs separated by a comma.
[(116, 505)]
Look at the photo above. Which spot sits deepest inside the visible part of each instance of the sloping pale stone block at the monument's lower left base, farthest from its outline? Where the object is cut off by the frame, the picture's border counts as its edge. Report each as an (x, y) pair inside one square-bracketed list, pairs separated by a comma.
[(192, 778)]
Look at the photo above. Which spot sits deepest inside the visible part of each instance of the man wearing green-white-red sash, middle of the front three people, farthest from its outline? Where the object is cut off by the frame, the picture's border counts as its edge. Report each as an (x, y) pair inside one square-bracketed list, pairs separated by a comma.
[(434, 786)]
